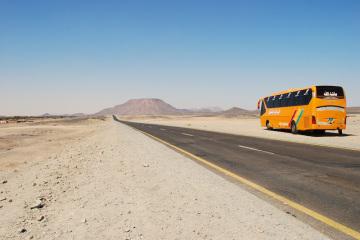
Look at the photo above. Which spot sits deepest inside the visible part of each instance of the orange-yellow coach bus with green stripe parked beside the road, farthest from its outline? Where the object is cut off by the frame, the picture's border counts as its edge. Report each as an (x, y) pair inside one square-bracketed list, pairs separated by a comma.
[(316, 108)]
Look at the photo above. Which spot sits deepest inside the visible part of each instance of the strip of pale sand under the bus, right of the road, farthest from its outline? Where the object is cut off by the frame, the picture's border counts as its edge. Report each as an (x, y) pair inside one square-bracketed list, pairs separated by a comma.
[(251, 127)]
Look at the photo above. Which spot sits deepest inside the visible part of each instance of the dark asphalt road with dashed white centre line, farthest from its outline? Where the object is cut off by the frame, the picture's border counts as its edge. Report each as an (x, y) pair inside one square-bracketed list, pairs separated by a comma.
[(323, 179)]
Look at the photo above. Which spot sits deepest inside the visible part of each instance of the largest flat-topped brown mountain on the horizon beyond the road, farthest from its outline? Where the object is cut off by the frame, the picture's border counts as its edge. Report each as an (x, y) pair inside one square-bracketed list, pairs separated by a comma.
[(143, 106)]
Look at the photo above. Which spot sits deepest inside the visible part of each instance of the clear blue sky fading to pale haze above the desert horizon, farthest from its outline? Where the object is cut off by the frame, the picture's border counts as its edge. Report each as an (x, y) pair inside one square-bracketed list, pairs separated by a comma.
[(82, 56)]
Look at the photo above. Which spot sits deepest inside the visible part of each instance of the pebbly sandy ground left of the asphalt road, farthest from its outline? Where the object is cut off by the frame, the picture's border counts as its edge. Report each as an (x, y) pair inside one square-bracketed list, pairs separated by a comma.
[(103, 180)]
